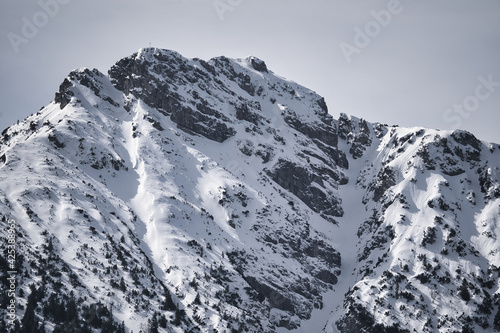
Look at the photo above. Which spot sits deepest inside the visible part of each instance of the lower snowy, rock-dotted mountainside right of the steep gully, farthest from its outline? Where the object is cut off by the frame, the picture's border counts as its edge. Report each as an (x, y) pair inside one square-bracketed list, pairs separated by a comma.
[(427, 255)]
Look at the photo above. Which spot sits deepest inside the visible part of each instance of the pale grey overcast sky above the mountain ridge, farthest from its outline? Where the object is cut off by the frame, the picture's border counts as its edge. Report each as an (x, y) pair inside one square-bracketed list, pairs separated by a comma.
[(426, 63)]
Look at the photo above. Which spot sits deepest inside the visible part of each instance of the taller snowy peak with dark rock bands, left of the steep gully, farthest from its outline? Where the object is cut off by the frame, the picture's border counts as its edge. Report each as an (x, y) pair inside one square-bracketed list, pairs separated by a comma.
[(178, 201)]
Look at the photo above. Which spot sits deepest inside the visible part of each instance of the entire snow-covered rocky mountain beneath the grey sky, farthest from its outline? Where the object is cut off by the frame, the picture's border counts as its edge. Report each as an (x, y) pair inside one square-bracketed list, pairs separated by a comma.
[(182, 195)]
